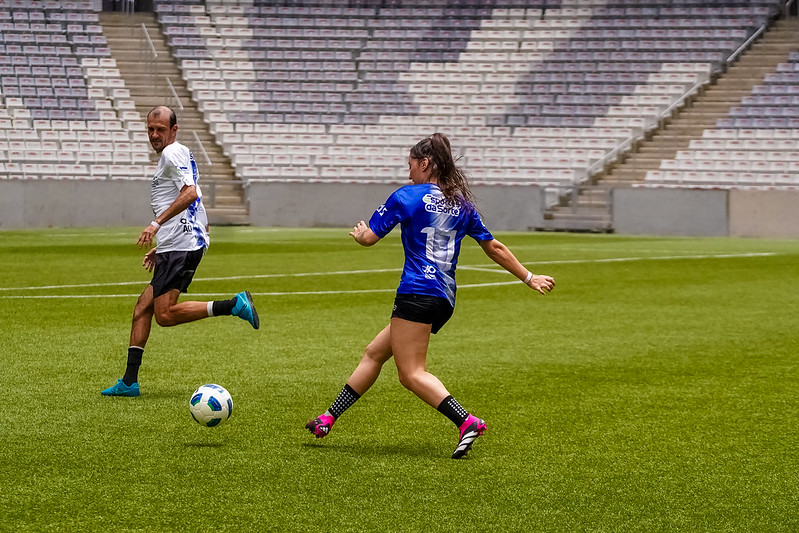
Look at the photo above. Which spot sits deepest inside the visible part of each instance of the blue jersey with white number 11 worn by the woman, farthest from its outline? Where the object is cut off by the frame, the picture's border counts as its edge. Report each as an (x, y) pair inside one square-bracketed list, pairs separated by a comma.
[(432, 231)]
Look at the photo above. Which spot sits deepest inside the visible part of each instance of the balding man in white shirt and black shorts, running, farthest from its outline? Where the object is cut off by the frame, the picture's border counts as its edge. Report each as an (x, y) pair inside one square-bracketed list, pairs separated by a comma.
[(180, 228)]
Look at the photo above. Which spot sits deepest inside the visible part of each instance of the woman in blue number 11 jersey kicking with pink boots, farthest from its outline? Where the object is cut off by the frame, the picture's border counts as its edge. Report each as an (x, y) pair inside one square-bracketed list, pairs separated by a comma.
[(435, 213)]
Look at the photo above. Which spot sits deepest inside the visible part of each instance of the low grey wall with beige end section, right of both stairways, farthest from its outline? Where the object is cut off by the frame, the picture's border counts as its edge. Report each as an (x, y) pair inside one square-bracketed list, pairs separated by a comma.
[(705, 212)]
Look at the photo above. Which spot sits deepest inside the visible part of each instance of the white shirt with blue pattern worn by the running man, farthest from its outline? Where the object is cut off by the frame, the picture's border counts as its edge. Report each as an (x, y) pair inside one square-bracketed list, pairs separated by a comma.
[(188, 230)]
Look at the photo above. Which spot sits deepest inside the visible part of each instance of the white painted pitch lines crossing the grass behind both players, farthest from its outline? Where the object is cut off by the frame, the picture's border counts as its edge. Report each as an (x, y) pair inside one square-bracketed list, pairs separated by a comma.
[(480, 268)]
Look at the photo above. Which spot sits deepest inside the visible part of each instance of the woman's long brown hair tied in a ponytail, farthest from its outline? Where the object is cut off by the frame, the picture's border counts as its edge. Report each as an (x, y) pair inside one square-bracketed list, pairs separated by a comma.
[(452, 180)]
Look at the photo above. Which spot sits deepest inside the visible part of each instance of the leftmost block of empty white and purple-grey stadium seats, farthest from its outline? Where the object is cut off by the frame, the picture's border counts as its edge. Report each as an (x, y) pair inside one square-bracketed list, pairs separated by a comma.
[(64, 112)]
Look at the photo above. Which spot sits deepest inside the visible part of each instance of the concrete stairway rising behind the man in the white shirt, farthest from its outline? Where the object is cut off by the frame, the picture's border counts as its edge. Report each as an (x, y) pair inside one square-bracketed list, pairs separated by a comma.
[(146, 78)]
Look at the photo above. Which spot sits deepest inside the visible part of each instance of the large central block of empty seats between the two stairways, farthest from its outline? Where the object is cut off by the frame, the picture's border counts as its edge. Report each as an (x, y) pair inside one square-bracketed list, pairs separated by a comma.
[(299, 92)]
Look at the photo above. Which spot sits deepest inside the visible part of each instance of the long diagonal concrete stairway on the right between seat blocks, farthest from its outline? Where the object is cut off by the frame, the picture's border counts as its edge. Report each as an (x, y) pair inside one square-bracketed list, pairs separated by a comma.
[(589, 208)]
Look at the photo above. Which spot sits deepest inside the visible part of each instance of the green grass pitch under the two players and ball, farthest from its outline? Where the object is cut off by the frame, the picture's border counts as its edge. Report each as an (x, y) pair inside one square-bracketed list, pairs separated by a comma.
[(654, 390)]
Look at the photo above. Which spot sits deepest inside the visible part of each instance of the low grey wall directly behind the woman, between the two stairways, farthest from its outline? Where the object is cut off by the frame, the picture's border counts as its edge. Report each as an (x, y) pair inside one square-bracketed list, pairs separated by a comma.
[(274, 203)]
